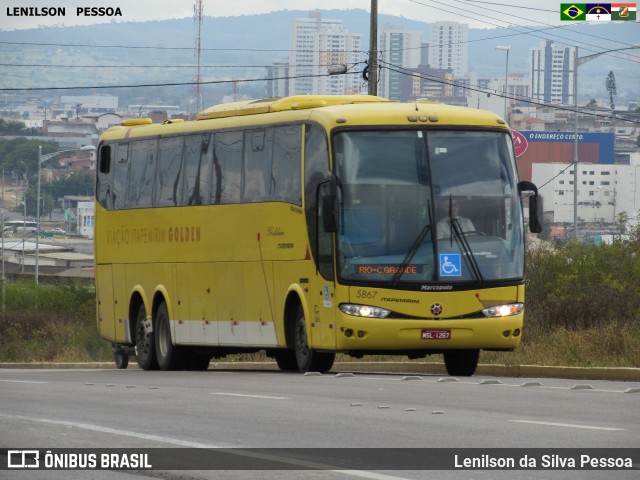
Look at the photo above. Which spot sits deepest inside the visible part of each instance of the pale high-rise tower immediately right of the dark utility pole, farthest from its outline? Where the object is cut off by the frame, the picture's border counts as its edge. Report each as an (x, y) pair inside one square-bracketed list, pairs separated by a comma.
[(397, 49)]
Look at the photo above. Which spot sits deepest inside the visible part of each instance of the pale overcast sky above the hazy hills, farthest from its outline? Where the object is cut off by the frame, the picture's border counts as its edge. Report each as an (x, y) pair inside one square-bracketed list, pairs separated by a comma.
[(478, 14)]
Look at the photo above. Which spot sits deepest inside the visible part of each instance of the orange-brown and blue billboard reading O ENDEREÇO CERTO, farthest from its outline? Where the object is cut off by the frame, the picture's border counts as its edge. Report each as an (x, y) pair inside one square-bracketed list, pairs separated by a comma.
[(557, 147)]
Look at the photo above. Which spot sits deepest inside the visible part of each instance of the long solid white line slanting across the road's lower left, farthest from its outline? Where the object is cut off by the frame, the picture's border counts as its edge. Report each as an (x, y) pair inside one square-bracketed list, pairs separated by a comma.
[(186, 443)]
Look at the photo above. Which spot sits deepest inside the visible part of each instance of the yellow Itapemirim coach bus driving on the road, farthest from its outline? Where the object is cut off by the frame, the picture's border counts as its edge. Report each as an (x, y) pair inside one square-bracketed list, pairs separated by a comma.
[(307, 226)]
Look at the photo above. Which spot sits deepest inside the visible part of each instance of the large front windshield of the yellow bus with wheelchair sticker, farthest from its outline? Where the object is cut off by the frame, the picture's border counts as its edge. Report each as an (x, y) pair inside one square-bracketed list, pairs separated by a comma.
[(427, 207)]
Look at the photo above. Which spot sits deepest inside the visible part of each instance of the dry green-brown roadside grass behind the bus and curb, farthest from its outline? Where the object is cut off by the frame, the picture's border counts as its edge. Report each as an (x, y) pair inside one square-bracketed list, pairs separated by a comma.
[(56, 323)]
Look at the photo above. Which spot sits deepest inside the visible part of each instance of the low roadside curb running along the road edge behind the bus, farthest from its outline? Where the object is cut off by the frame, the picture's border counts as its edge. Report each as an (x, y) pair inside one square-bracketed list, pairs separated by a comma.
[(534, 371)]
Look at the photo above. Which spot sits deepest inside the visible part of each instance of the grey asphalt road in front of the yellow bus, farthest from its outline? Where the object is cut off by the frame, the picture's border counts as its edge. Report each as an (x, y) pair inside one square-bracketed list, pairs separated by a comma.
[(107, 408)]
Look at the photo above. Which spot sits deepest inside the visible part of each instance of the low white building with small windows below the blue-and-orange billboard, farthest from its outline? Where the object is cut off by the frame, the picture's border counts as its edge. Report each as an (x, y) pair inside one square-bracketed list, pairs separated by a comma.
[(604, 190)]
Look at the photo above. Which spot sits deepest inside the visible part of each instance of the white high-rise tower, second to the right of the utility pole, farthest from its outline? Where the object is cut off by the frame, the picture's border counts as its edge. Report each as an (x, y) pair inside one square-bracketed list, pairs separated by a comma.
[(448, 47)]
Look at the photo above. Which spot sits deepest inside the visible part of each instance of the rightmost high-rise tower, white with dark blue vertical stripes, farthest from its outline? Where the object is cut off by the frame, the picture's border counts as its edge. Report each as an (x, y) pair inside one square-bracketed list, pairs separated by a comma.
[(551, 69)]
